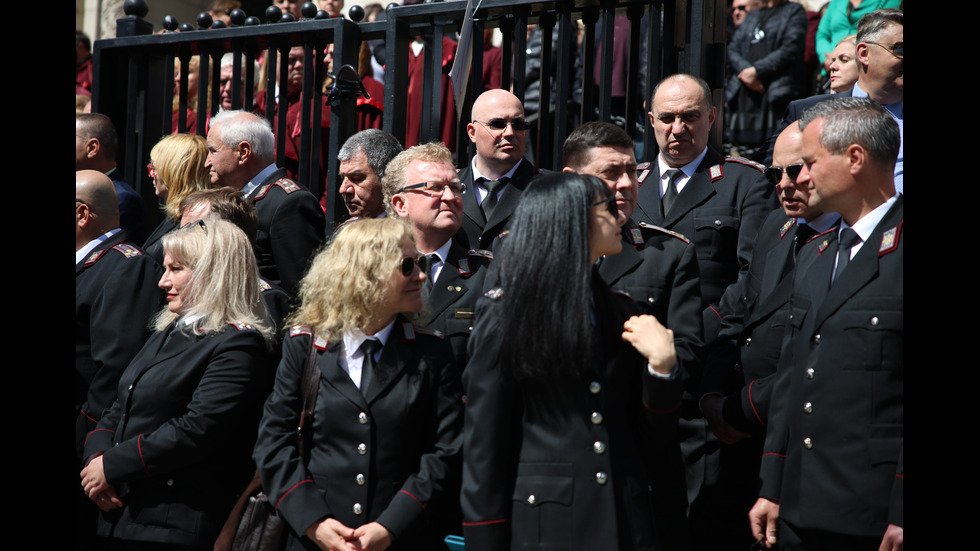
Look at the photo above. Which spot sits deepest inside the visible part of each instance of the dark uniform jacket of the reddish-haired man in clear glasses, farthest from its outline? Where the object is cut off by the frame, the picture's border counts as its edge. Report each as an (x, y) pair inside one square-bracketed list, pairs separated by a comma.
[(452, 302)]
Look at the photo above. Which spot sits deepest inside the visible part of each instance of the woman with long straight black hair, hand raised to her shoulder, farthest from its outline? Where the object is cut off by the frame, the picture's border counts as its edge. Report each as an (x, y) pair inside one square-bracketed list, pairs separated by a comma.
[(569, 396)]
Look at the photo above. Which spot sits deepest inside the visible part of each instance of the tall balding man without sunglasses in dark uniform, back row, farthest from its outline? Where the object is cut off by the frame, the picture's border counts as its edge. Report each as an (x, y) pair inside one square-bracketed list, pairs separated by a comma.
[(718, 204)]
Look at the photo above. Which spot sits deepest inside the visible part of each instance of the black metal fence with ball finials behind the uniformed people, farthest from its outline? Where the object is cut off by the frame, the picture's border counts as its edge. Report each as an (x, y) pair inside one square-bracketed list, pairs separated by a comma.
[(134, 73)]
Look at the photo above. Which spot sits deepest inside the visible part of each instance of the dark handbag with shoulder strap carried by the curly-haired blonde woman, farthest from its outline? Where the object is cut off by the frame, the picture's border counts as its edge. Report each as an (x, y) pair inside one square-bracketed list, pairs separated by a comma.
[(253, 524)]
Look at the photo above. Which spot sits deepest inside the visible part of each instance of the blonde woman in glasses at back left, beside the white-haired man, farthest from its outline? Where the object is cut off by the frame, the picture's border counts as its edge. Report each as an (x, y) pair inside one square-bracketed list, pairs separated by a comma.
[(177, 169)]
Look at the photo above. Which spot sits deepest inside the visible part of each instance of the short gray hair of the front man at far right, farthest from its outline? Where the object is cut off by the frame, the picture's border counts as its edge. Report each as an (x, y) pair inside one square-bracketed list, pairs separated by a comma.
[(860, 121)]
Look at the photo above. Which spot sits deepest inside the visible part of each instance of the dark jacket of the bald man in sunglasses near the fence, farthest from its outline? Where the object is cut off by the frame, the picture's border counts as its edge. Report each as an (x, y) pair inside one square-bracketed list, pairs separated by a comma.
[(481, 233)]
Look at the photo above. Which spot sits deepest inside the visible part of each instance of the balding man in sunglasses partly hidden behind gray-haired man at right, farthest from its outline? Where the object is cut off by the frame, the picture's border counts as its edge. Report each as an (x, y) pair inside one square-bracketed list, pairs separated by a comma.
[(741, 364)]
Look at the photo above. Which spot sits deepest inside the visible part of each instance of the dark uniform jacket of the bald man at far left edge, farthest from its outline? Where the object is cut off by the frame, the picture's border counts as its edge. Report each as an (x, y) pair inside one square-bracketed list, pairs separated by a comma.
[(116, 293)]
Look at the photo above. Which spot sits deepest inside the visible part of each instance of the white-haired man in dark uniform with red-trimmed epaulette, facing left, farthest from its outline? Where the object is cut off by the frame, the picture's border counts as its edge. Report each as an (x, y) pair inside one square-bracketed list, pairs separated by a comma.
[(291, 222)]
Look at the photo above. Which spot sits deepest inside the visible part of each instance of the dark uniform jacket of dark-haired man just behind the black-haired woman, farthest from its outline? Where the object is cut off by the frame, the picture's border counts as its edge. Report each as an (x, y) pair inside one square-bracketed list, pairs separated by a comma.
[(658, 269)]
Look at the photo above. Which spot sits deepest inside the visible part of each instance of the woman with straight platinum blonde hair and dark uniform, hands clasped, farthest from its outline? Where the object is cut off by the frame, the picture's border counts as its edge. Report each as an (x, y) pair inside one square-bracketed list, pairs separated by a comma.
[(168, 458)]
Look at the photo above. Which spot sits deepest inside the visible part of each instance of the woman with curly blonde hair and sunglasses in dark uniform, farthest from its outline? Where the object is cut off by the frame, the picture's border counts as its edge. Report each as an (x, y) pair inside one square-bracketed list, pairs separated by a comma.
[(385, 436)]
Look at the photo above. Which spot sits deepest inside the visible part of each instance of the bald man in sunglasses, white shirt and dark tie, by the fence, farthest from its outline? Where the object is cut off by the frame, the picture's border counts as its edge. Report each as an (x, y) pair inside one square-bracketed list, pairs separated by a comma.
[(498, 172)]
